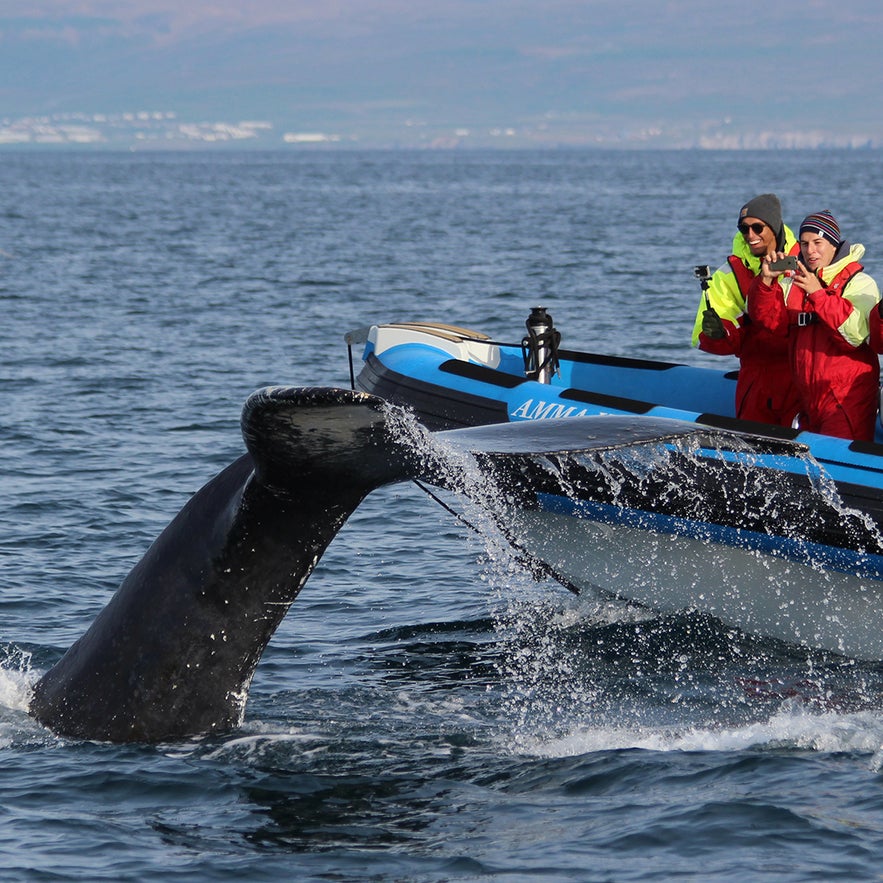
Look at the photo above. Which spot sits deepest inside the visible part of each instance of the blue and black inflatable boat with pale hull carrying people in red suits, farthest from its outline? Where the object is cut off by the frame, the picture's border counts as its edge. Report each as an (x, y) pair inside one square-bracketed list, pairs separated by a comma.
[(772, 530)]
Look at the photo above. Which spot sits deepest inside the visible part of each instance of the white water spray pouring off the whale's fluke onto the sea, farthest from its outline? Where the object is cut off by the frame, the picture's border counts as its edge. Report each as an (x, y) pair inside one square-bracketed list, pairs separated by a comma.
[(657, 671)]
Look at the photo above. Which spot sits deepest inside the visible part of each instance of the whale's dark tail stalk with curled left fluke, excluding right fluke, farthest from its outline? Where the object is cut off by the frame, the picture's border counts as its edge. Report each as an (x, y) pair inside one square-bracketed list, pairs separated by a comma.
[(173, 652)]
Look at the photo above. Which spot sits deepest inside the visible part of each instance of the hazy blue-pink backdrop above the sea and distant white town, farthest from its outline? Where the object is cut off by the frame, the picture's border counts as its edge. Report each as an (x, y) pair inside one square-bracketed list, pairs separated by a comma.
[(631, 72)]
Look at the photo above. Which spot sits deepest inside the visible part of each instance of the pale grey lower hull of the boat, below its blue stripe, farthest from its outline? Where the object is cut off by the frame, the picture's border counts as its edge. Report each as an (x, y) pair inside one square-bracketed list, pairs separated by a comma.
[(763, 594)]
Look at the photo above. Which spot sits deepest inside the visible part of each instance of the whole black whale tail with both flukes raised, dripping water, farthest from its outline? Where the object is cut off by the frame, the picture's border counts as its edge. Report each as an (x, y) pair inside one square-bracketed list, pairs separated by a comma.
[(173, 652)]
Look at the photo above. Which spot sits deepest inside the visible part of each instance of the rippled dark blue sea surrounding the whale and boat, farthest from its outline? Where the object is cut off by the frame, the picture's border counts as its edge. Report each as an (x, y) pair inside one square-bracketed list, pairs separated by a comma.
[(426, 712)]
